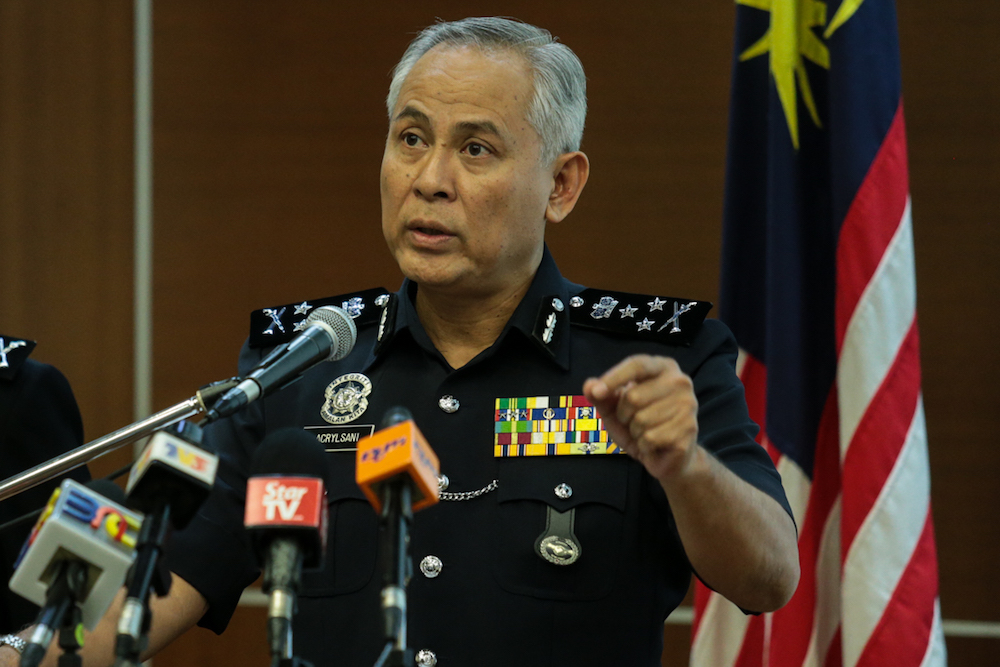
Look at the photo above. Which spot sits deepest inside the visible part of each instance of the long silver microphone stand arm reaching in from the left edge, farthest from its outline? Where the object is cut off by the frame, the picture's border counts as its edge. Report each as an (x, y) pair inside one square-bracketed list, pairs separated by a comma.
[(196, 405)]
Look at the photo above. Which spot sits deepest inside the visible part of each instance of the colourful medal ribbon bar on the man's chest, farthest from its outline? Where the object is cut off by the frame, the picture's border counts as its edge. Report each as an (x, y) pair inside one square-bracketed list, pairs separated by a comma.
[(549, 426)]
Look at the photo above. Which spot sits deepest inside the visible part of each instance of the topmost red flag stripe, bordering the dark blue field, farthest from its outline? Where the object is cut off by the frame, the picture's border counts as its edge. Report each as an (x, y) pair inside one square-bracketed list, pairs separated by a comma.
[(871, 222)]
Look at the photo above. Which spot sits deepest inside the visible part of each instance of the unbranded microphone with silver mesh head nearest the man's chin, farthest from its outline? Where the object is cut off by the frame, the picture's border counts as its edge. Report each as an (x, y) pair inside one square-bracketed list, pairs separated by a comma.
[(329, 335)]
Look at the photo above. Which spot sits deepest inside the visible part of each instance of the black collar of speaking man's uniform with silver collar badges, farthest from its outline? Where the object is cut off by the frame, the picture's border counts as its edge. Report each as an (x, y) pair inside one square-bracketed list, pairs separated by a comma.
[(542, 316)]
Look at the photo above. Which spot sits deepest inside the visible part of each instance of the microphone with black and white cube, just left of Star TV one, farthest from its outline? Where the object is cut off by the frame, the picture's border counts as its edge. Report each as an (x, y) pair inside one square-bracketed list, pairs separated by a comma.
[(169, 482)]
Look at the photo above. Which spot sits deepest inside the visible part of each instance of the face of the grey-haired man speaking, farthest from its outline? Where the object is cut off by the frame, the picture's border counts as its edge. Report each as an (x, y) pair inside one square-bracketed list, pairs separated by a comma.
[(464, 192)]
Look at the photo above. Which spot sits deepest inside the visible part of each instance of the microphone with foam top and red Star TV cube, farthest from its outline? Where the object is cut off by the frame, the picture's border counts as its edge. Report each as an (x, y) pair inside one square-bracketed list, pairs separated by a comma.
[(286, 516)]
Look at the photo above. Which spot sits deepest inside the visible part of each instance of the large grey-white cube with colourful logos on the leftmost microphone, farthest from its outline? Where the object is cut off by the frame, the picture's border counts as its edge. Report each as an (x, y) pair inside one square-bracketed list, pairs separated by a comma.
[(79, 524)]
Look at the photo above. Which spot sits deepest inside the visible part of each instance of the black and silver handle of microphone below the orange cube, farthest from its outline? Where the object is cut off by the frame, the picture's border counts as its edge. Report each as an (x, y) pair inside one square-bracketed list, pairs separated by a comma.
[(397, 513)]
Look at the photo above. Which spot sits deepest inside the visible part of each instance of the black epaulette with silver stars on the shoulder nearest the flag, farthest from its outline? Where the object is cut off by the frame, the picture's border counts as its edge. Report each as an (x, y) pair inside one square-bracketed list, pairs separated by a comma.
[(665, 319)]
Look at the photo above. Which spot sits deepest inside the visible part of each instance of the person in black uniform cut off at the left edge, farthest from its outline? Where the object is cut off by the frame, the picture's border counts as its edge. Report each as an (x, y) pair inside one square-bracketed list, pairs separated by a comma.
[(39, 420)]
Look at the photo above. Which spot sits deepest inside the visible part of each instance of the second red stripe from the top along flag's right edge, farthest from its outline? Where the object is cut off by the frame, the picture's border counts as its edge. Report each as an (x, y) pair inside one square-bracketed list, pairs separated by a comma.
[(879, 437)]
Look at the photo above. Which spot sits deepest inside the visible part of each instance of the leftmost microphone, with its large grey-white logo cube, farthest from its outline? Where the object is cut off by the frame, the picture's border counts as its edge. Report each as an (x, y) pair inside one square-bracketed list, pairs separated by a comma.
[(77, 554)]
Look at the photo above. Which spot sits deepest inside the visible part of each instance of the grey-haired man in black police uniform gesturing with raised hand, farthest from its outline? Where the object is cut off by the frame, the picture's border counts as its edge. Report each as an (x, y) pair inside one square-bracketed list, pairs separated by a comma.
[(566, 538)]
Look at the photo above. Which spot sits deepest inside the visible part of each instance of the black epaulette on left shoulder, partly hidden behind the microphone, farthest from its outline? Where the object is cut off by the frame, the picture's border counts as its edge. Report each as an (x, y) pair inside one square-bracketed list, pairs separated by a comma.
[(279, 324)]
